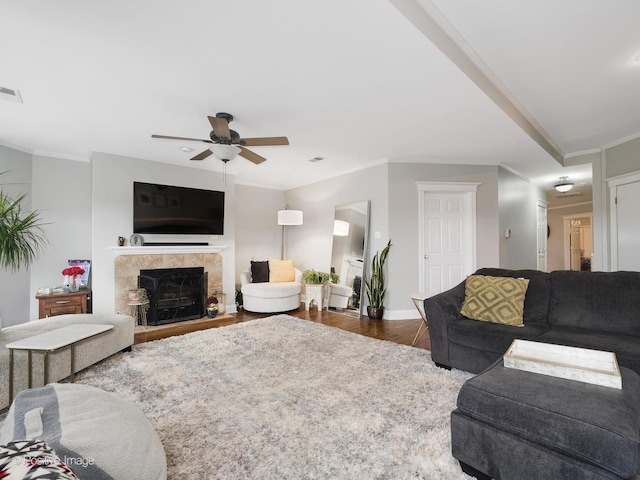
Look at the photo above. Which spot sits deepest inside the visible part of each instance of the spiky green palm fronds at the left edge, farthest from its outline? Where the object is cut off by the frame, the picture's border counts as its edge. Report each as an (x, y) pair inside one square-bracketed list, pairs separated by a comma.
[(21, 233)]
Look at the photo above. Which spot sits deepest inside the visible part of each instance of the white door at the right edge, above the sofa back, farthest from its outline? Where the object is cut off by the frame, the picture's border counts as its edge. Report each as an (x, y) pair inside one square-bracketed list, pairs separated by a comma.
[(628, 223)]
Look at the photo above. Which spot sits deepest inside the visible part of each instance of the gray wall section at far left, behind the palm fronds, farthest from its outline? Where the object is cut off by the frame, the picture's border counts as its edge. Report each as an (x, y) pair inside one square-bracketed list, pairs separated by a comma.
[(15, 292)]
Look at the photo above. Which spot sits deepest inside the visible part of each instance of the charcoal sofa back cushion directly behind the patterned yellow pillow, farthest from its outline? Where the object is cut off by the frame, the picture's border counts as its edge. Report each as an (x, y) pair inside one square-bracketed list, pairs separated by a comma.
[(536, 302)]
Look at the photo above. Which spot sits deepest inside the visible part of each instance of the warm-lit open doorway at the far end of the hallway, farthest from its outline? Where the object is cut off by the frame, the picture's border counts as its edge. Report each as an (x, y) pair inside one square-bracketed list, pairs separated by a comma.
[(578, 241)]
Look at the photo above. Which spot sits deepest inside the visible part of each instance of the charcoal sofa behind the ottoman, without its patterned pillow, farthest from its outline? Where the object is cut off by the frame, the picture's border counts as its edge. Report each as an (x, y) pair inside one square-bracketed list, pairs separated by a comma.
[(597, 310)]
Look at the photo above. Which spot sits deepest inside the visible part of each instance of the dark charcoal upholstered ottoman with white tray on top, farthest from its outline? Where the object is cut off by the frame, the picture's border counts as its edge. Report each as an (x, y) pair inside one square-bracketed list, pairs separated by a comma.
[(512, 424)]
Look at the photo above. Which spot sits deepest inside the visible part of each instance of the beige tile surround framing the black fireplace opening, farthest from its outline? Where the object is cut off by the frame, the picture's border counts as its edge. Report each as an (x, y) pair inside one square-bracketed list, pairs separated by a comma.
[(127, 268)]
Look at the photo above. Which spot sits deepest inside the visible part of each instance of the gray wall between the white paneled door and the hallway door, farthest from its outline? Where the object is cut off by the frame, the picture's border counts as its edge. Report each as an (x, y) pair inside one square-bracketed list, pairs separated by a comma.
[(518, 212)]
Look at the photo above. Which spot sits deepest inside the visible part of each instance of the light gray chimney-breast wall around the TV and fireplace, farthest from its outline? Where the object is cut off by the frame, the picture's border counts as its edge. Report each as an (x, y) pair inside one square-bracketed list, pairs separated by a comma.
[(112, 214)]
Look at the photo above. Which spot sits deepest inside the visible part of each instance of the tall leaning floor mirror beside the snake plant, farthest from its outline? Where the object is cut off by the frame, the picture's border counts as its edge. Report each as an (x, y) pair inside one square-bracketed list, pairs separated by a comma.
[(349, 257)]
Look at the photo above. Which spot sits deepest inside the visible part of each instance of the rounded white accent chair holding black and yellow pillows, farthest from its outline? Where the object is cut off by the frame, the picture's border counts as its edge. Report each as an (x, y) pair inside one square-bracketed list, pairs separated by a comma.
[(270, 297)]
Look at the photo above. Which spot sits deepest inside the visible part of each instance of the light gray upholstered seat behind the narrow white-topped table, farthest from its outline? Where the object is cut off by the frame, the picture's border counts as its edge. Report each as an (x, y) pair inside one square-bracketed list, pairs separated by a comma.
[(88, 351)]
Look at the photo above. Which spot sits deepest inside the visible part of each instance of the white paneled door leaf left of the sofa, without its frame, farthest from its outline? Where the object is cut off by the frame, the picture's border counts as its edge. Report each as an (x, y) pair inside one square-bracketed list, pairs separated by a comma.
[(448, 240)]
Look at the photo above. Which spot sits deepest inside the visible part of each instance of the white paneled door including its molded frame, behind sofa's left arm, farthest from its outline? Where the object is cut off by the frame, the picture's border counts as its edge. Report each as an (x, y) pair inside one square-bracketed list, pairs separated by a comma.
[(447, 230)]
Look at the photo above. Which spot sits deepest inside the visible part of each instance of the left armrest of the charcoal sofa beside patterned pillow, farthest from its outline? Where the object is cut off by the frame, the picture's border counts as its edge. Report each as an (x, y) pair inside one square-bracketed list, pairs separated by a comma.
[(440, 310)]
